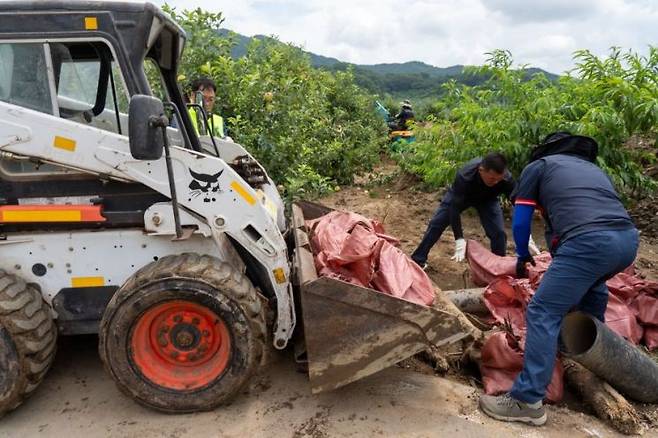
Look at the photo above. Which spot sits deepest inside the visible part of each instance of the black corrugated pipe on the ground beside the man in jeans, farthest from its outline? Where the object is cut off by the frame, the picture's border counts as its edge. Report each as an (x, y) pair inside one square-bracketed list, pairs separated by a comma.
[(625, 367)]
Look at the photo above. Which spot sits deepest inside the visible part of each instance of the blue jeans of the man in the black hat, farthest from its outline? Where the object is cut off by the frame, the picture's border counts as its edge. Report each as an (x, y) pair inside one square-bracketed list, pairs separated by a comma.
[(574, 280)]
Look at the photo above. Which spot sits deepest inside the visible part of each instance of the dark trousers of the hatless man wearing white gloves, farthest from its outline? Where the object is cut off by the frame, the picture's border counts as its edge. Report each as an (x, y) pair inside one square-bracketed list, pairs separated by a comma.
[(491, 218)]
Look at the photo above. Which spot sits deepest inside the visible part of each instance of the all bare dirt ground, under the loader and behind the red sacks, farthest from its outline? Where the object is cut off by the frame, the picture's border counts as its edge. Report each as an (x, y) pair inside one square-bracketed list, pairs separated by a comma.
[(78, 399)]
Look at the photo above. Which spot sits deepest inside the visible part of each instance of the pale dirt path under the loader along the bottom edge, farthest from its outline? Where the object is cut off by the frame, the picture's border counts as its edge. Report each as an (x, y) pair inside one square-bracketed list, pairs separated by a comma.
[(78, 399)]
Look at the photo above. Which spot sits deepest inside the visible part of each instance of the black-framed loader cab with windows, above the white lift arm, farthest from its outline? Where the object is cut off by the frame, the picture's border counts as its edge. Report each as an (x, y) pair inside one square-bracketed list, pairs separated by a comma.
[(84, 62)]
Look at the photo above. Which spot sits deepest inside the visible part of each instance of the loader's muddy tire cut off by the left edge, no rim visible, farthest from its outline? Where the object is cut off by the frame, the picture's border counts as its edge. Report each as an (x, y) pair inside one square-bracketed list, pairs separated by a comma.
[(28, 340)]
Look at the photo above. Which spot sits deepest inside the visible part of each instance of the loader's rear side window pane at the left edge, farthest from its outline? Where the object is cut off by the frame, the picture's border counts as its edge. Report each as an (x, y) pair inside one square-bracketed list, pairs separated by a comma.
[(24, 76)]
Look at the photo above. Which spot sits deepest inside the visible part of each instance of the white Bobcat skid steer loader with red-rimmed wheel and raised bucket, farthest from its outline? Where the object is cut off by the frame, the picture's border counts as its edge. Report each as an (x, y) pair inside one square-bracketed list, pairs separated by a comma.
[(117, 219)]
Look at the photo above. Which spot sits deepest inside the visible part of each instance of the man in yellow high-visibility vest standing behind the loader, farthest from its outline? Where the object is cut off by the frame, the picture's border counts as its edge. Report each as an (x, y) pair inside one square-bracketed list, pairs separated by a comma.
[(202, 92)]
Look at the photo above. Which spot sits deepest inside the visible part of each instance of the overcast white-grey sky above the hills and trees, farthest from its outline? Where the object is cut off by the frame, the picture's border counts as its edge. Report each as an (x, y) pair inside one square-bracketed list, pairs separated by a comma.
[(445, 32)]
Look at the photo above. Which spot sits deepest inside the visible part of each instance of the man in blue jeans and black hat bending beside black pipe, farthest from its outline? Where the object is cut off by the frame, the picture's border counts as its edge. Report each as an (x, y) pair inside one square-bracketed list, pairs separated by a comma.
[(591, 238)]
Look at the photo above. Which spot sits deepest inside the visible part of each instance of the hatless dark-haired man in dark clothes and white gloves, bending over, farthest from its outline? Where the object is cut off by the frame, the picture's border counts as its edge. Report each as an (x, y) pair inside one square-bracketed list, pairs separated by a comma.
[(478, 184)]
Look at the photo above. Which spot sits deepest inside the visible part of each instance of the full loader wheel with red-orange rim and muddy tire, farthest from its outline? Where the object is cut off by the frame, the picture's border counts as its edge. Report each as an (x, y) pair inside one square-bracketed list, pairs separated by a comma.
[(184, 334)]
